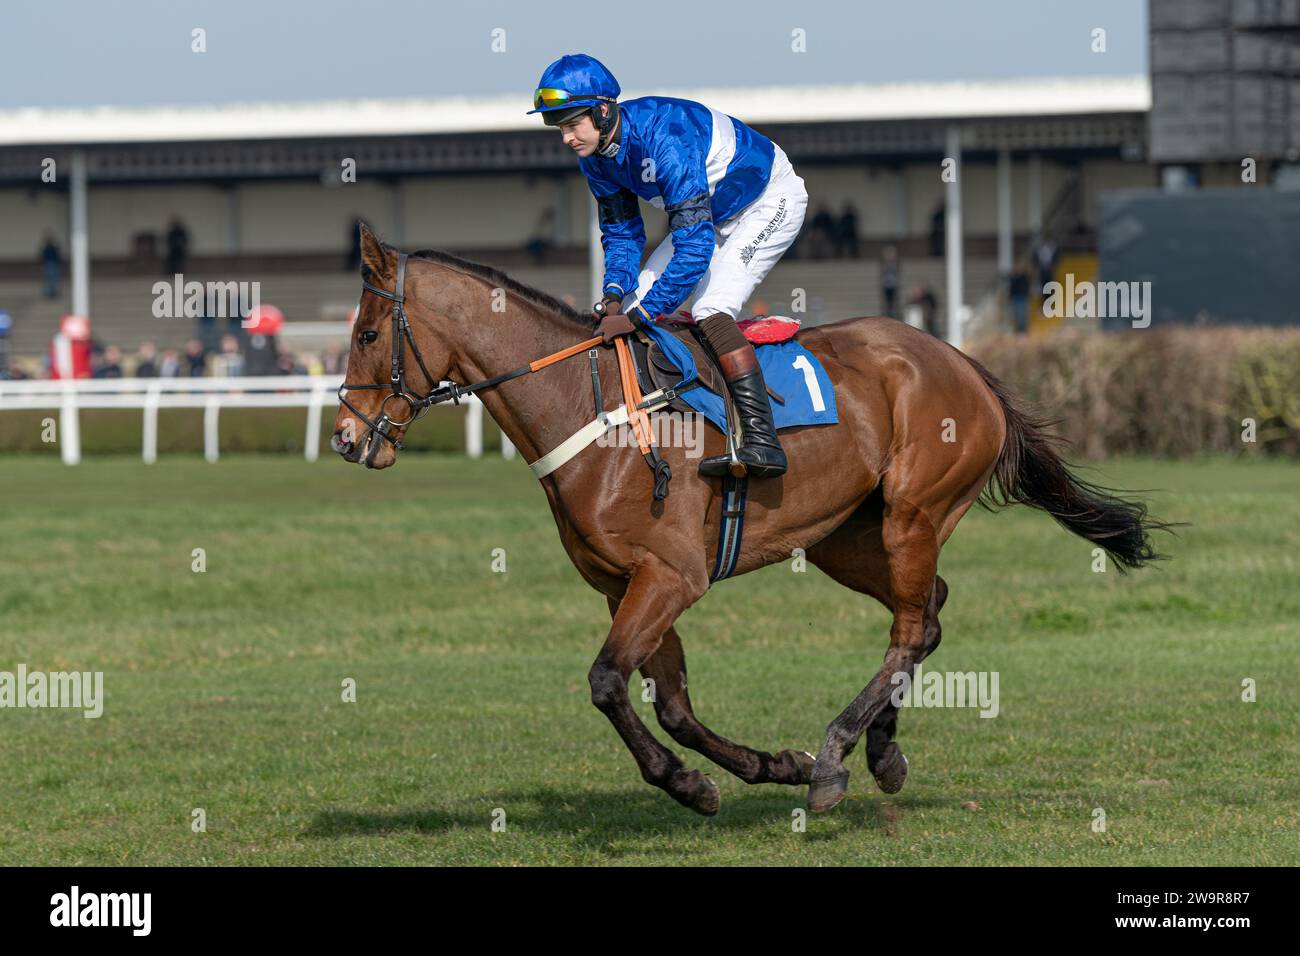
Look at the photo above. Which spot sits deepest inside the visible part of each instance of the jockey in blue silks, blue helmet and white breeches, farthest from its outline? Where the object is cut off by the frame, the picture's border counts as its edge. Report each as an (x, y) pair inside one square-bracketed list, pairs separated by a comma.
[(734, 205)]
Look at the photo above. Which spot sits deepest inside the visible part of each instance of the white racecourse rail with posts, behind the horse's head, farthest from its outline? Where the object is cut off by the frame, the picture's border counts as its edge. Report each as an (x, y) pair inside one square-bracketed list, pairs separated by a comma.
[(309, 392)]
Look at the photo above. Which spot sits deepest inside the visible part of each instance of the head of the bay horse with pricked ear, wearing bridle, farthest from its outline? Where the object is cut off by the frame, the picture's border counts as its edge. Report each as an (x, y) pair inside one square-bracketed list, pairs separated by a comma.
[(396, 361)]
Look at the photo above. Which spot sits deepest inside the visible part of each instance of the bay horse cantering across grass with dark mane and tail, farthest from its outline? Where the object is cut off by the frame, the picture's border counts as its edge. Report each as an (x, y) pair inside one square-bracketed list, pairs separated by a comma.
[(924, 431)]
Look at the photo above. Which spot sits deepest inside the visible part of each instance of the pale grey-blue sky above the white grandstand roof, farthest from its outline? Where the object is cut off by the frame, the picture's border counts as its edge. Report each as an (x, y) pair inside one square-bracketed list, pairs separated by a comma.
[(138, 53)]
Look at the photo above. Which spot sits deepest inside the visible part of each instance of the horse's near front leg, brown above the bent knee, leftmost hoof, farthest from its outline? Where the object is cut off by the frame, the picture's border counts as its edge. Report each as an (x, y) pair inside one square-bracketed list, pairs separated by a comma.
[(656, 596)]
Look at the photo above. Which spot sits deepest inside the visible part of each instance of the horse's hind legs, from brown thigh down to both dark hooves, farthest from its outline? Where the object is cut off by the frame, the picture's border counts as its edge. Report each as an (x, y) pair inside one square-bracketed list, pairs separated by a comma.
[(912, 550)]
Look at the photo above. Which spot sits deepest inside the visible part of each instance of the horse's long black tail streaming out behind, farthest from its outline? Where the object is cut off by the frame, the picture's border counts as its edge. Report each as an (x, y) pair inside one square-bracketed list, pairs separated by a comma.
[(1030, 471)]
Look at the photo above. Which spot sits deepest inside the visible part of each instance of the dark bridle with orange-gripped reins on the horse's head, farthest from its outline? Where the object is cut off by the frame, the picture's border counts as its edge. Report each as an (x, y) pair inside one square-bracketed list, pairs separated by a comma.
[(418, 404)]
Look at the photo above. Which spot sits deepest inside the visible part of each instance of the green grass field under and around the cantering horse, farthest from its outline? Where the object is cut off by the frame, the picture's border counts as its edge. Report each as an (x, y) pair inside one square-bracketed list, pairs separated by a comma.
[(224, 687)]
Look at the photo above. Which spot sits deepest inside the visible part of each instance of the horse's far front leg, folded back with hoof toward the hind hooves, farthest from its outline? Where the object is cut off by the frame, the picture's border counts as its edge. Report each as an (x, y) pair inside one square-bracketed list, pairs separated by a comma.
[(668, 669)]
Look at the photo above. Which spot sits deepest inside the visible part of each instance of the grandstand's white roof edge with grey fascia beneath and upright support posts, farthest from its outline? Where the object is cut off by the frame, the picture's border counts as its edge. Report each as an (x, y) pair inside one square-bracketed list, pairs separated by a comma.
[(1090, 116)]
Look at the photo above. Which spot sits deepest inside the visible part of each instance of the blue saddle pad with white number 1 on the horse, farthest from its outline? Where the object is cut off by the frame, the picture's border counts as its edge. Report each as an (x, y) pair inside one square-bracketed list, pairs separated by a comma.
[(790, 370)]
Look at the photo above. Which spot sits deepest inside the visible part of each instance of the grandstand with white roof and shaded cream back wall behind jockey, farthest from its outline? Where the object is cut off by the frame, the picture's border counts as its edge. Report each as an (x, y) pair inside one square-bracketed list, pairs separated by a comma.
[(258, 188)]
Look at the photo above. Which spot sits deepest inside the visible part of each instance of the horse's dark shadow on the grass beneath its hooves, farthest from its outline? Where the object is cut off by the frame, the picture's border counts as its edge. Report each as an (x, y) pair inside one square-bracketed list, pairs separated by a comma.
[(592, 817)]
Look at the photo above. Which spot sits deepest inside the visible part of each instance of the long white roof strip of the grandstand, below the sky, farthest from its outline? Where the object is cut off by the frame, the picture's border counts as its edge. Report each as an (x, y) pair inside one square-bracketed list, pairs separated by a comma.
[(851, 103)]
